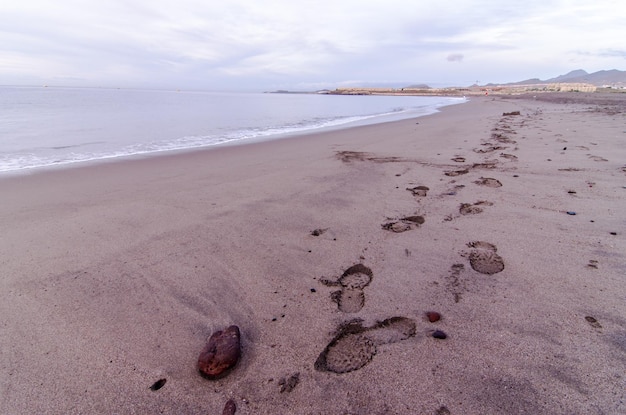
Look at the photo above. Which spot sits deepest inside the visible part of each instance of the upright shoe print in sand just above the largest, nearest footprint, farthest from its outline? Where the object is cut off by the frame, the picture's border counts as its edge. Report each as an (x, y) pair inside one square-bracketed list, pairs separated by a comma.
[(351, 298)]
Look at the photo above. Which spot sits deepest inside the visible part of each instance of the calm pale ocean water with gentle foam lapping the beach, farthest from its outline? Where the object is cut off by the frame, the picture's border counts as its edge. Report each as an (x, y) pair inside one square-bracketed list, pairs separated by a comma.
[(46, 127)]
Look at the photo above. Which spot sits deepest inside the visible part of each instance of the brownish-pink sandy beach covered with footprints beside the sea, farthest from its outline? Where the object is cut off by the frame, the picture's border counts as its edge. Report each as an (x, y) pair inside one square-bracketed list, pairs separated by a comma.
[(114, 275)]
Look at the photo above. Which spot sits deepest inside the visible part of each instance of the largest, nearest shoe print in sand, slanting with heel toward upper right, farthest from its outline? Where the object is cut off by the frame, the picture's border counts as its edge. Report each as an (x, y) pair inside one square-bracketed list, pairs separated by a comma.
[(354, 346)]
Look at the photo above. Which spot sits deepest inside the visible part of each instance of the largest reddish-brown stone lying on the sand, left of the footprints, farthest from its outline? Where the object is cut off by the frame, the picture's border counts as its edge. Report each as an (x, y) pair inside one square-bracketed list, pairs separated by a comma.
[(221, 353)]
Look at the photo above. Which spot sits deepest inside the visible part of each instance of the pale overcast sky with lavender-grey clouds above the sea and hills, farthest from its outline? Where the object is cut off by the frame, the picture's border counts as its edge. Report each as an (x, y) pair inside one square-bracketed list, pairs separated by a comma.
[(301, 44)]
